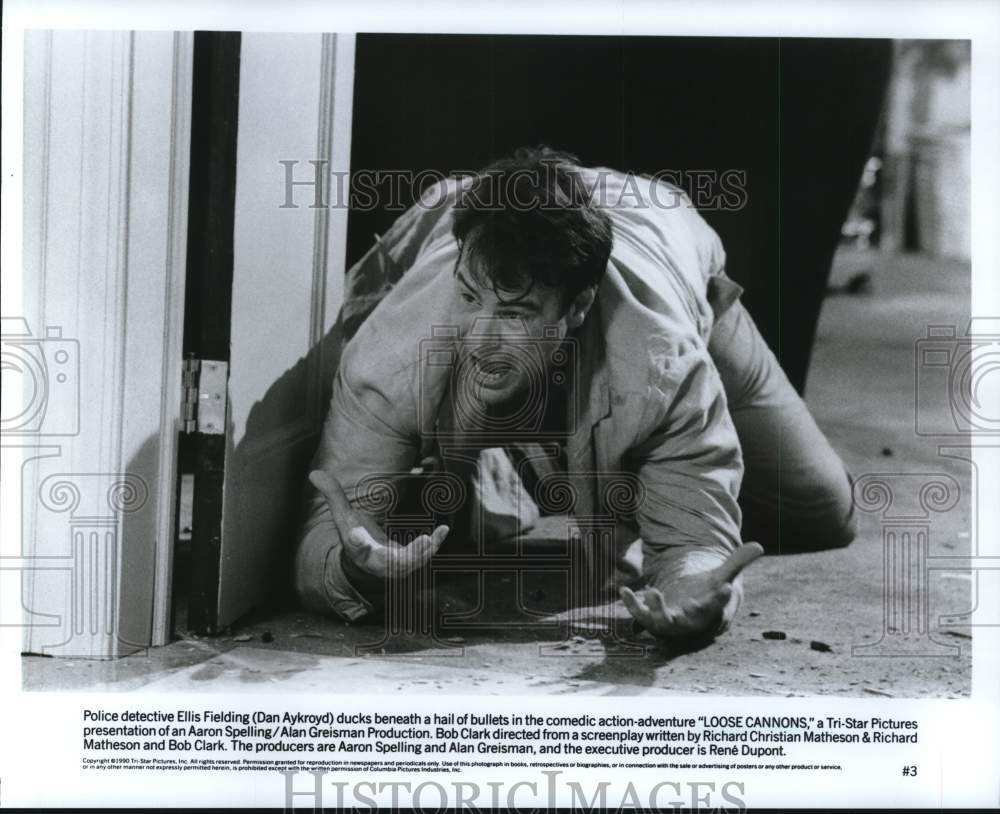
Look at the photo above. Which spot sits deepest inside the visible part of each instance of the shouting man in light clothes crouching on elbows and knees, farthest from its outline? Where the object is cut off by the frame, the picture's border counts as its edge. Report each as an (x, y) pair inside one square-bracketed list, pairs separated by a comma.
[(579, 323)]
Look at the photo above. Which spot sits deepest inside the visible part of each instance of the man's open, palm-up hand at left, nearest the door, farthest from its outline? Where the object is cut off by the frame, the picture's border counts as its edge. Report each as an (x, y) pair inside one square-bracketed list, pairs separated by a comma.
[(374, 555)]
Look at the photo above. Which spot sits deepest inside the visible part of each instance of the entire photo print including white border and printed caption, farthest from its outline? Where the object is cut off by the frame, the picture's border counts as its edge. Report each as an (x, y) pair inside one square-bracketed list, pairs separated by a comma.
[(538, 364)]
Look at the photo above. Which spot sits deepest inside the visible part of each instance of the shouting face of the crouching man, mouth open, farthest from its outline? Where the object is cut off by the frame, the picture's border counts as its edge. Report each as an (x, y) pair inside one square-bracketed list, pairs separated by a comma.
[(507, 344)]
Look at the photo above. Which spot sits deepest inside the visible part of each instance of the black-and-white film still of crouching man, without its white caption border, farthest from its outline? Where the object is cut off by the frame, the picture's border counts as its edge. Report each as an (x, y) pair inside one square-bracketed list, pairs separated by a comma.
[(603, 334)]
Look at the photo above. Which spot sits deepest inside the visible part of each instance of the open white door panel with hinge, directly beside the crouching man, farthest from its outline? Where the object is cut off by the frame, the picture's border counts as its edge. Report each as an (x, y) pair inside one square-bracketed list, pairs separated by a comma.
[(295, 102)]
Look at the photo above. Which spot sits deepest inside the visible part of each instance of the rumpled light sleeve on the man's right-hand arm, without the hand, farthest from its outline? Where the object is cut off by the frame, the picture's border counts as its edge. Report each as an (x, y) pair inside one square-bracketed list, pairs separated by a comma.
[(690, 467)]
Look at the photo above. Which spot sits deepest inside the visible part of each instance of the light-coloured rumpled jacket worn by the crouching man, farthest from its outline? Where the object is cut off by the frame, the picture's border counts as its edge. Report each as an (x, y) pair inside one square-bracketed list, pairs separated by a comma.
[(651, 406)]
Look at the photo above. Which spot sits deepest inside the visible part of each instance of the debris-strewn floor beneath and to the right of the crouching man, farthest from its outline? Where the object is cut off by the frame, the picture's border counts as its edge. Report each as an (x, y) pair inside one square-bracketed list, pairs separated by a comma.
[(861, 390)]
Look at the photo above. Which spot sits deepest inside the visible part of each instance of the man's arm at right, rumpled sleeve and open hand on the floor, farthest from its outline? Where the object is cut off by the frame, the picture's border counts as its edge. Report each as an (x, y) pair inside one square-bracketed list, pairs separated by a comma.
[(690, 467)]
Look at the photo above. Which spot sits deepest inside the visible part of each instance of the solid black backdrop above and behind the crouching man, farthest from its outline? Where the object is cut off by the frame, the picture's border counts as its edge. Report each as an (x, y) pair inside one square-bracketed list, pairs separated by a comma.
[(797, 115)]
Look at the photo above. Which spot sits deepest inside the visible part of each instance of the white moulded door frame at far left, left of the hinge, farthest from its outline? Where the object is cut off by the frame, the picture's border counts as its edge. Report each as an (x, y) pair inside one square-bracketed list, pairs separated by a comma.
[(105, 188)]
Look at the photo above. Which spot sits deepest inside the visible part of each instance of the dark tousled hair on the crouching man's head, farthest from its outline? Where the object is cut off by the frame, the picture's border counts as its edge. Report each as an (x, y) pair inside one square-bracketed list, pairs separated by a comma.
[(528, 219)]
